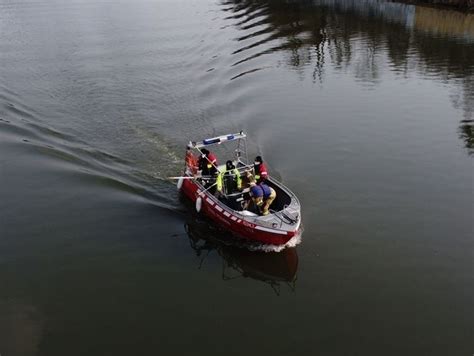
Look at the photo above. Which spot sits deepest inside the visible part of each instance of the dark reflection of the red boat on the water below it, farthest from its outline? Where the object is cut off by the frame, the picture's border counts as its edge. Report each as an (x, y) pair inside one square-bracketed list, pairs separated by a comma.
[(277, 269)]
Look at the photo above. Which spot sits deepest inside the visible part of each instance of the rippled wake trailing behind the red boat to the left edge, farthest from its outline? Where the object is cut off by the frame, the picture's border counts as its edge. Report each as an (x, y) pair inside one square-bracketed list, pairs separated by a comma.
[(75, 160)]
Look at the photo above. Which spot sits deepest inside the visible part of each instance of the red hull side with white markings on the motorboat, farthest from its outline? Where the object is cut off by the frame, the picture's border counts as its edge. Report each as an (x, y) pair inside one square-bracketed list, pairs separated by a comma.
[(235, 223)]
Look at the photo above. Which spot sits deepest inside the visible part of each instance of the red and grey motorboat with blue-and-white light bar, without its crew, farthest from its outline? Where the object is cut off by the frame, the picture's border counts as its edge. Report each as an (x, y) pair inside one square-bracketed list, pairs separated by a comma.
[(227, 207)]
